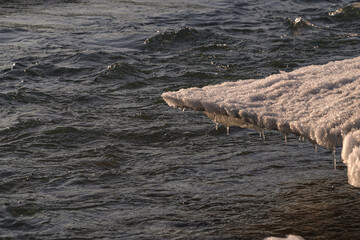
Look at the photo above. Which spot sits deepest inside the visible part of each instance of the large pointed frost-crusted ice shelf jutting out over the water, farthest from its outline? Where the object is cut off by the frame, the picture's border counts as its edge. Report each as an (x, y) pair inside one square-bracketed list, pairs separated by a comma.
[(318, 102)]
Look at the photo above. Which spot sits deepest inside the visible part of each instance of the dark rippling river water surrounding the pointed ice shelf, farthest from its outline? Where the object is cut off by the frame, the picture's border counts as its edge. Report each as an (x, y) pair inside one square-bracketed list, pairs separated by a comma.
[(89, 150)]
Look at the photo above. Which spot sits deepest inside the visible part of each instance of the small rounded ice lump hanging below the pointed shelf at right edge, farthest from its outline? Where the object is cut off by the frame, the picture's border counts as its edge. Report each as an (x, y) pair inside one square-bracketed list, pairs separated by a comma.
[(351, 156)]
